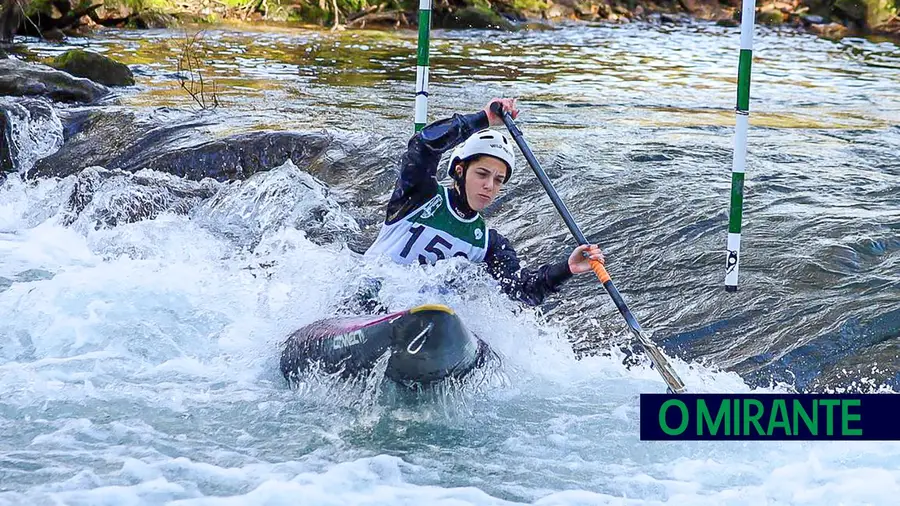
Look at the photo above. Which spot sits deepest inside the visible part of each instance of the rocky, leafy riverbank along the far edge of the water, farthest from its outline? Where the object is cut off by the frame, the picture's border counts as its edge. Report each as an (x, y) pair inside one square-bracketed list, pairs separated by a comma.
[(53, 19)]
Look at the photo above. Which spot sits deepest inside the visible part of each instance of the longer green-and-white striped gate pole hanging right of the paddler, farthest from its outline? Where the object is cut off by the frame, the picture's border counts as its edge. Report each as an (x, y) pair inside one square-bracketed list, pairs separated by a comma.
[(742, 115)]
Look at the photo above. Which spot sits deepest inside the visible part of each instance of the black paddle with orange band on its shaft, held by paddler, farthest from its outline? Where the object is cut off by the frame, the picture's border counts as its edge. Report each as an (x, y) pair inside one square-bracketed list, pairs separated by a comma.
[(656, 357)]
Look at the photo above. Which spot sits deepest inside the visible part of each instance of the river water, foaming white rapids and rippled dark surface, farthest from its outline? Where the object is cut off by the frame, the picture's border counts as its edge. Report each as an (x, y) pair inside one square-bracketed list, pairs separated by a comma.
[(139, 362)]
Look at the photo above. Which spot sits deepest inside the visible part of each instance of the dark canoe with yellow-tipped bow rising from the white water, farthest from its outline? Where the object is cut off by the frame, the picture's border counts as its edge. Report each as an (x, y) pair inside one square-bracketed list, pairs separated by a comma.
[(426, 344)]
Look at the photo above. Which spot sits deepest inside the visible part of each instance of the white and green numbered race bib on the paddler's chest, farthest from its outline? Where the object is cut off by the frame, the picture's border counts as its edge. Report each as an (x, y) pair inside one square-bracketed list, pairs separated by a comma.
[(430, 233)]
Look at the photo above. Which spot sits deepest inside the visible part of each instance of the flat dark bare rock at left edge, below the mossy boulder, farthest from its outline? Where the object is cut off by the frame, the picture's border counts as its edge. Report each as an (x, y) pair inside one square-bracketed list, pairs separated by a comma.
[(18, 78)]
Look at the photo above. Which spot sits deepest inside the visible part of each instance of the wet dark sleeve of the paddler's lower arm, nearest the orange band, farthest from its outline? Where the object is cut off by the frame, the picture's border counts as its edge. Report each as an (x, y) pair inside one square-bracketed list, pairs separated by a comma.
[(526, 285)]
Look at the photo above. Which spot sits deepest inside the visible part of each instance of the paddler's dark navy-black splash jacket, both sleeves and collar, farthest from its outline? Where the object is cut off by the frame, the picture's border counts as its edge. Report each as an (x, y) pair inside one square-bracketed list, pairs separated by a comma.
[(418, 184)]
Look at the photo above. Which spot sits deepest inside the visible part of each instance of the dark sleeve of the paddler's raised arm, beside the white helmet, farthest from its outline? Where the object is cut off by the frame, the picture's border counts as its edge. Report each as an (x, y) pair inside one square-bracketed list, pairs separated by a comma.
[(418, 165)]
